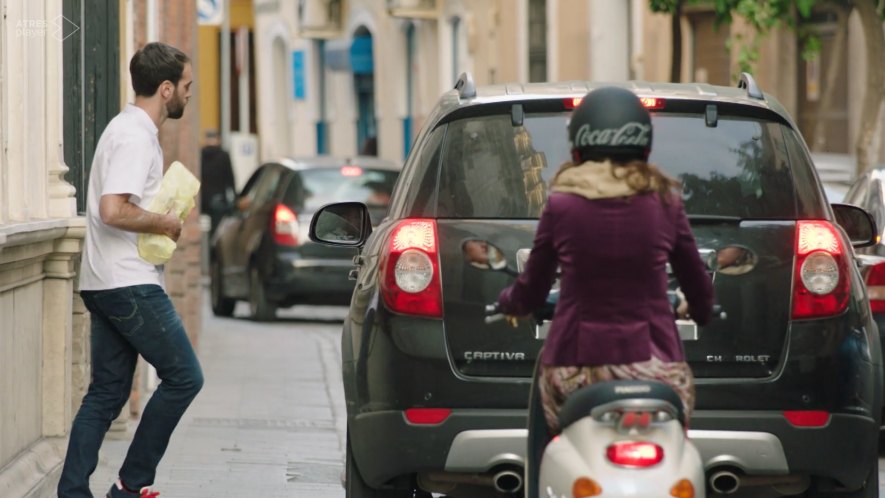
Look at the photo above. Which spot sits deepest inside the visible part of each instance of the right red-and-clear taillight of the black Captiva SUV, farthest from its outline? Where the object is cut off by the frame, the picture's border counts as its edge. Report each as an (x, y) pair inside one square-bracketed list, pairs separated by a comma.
[(820, 282)]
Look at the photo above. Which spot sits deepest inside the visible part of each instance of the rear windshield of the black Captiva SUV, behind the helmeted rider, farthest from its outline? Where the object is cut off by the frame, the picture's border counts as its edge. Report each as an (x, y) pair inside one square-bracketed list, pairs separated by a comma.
[(739, 168)]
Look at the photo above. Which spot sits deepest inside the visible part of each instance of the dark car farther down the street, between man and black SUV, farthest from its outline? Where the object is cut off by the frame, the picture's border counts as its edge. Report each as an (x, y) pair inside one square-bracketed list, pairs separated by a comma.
[(261, 252)]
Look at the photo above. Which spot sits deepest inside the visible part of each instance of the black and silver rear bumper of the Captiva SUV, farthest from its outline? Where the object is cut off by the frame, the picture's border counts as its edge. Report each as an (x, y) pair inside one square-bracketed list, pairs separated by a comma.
[(756, 443)]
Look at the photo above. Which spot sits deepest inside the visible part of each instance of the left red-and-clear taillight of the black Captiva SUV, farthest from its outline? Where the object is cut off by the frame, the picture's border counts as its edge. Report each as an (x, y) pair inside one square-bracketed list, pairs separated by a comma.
[(410, 283)]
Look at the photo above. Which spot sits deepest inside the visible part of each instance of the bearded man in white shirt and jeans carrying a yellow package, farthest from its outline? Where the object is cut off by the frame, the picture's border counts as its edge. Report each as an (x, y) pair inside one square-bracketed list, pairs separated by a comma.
[(131, 313)]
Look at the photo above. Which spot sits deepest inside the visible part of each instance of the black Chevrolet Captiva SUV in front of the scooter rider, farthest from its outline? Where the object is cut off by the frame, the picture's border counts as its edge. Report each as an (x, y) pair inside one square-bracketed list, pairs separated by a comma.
[(789, 373)]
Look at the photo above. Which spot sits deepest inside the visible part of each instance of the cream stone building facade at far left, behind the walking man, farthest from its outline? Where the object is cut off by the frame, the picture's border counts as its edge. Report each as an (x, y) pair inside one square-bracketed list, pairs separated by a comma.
[(40, 241)]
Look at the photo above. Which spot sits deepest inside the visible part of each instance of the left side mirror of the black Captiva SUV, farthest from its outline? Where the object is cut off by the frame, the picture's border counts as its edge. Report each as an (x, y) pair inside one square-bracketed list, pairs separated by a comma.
[(344, 224)]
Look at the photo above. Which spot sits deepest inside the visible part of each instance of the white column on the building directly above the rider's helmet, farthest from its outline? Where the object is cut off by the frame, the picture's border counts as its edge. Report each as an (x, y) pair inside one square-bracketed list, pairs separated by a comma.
[(609, 35)]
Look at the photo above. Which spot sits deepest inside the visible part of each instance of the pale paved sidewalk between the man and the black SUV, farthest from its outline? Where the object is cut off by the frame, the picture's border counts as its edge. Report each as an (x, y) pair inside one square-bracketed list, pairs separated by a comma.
[(269, 421)]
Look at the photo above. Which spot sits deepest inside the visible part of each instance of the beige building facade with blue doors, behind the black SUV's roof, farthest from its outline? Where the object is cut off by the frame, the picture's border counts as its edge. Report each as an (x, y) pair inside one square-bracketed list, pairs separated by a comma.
[(333, 73)]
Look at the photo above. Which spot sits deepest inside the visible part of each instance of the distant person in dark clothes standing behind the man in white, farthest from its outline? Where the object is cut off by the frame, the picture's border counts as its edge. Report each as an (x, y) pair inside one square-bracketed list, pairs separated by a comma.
[(217, 177)]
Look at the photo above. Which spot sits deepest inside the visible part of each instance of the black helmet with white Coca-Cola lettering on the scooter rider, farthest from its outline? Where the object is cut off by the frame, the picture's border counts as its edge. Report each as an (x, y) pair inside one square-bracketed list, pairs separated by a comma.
[(610, 123)]
